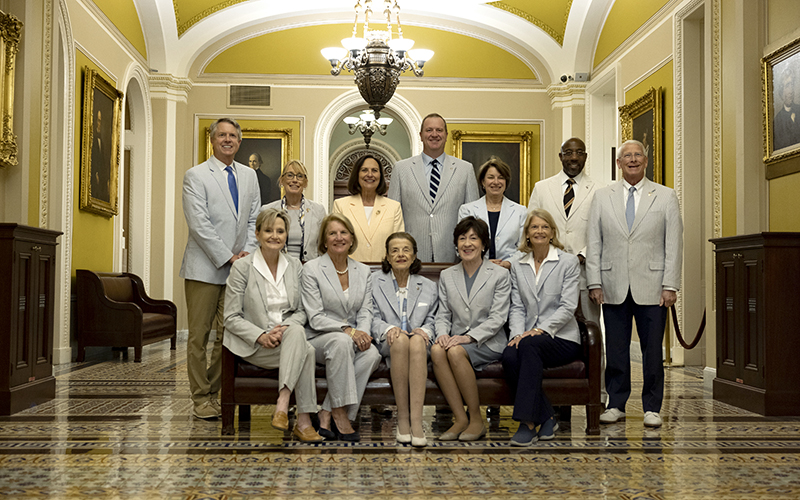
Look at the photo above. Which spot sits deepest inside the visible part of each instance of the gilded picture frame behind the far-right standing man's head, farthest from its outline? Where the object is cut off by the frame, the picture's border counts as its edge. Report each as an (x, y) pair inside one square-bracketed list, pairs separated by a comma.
[(650, 101)]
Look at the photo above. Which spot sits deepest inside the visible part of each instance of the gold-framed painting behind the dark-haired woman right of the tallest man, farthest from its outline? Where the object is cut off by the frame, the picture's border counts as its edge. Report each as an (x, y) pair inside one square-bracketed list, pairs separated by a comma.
[(514, 148)]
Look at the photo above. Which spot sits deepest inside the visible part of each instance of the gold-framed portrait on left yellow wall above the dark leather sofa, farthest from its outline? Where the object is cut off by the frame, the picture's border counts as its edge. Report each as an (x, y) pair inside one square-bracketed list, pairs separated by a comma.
[(100, 151)]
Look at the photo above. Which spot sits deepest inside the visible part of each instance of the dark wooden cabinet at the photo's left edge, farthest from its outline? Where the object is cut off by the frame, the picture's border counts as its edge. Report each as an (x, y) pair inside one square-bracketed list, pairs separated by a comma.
[(27, 267)]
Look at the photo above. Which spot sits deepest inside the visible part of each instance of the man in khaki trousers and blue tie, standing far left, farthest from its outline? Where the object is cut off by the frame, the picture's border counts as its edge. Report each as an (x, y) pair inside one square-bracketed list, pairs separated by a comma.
[(220, 202)]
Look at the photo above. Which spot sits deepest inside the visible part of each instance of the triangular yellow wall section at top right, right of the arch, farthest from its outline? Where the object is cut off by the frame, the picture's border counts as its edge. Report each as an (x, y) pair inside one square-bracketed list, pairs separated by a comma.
[(626, 16)]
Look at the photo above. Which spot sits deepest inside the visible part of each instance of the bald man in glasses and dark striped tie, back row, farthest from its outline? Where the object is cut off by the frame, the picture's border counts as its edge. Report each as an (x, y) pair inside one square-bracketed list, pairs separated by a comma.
[(568, 196)]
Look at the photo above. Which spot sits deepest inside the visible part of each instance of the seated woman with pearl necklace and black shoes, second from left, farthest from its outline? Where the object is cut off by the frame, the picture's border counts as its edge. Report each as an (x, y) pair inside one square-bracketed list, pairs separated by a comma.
[(337, 296)]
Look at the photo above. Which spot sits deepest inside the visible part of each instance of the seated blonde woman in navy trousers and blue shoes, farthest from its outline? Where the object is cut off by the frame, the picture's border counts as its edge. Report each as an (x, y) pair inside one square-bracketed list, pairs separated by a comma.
[(543, 329)]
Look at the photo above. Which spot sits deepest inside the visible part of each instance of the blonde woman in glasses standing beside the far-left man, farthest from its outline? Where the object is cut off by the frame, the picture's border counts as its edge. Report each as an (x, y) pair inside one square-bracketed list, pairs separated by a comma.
[(305, 215)]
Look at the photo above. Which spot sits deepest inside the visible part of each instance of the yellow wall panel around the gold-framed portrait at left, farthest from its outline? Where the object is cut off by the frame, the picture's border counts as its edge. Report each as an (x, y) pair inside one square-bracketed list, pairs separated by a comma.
[(92, 234)]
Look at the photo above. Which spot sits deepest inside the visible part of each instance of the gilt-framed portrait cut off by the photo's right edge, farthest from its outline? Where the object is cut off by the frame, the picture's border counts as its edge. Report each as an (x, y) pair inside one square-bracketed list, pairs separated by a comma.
[(777, 159)]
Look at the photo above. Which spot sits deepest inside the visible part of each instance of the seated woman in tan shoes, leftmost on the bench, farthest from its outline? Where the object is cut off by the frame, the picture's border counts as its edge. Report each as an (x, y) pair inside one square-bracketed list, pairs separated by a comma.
[(264, 321)]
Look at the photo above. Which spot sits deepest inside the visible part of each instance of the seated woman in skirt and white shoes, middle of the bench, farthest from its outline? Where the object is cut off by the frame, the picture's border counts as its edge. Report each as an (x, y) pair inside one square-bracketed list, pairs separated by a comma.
[(405, 306)]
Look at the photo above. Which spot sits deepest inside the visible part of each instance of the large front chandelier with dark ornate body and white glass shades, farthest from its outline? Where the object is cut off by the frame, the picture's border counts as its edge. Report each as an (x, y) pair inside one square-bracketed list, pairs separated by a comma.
[(378, 57)]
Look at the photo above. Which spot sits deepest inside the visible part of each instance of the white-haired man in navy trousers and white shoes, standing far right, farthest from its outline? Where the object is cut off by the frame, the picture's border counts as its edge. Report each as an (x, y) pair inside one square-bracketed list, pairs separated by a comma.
[(633, 268)]
